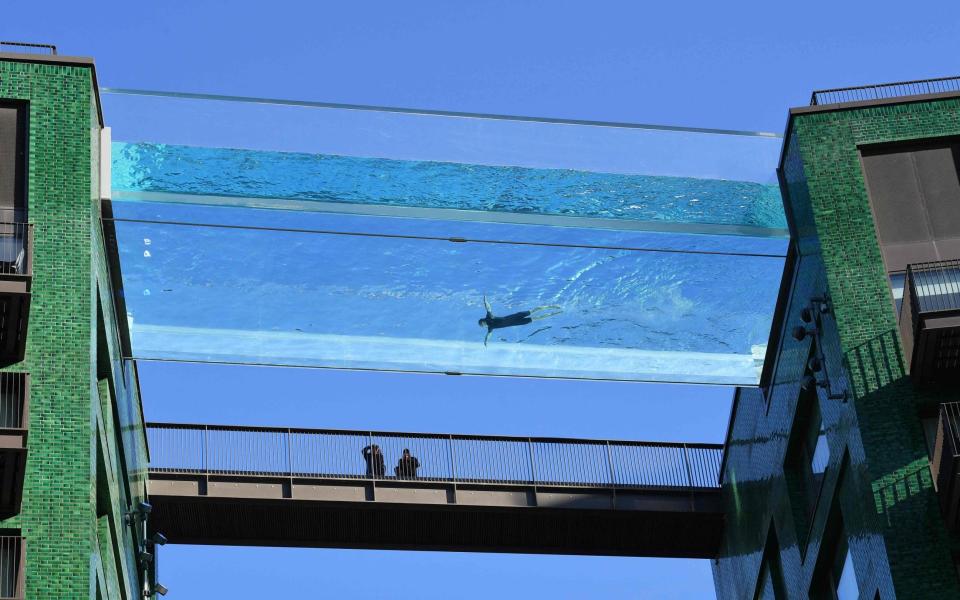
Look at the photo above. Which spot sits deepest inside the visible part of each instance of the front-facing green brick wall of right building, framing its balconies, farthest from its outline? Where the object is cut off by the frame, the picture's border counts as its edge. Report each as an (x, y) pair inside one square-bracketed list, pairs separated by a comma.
[(886, 403)]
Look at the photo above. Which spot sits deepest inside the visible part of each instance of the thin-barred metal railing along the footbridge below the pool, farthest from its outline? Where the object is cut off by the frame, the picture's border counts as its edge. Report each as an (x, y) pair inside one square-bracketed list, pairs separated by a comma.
[(339, 454)]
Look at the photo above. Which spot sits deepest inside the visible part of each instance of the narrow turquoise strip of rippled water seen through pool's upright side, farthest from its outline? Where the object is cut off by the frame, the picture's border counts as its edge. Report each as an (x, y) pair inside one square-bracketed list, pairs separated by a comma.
[(425, 184)]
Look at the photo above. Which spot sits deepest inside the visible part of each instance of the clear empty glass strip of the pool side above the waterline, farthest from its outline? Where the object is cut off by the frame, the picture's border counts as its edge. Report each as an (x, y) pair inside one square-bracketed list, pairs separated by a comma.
[(312, 128)]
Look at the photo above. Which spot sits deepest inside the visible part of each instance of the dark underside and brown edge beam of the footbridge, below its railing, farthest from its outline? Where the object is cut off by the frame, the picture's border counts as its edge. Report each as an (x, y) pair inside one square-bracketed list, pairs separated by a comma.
[(430, 515)]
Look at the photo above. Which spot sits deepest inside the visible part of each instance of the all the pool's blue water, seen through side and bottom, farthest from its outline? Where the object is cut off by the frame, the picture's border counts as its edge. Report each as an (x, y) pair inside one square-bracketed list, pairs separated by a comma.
[(324, 289)]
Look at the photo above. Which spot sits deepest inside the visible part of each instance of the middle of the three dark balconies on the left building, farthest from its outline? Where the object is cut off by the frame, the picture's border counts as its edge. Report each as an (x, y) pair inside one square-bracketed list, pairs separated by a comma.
[(14, 403)]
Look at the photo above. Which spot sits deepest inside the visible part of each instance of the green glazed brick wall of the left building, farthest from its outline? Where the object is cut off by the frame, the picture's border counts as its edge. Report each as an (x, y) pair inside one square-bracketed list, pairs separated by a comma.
[(59, 512)]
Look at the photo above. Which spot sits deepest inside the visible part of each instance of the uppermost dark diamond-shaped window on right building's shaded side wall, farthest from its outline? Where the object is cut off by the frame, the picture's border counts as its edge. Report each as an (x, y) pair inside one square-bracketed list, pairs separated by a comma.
[(808, 454)]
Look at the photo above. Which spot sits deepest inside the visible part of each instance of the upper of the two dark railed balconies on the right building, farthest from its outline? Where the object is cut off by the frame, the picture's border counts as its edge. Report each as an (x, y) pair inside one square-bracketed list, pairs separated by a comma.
[(930, 321)]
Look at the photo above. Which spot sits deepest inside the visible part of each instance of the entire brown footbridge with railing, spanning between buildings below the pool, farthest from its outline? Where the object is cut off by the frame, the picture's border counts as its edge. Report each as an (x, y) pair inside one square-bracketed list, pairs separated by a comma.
[(263, 486)]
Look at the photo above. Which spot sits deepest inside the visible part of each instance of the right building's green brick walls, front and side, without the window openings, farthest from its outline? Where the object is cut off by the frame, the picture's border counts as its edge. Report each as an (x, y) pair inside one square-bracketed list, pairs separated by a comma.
[(897, 538)]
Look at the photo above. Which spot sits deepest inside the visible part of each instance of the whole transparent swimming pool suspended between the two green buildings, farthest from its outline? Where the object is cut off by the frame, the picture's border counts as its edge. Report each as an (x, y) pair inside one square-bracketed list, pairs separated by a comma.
[(353, 247)]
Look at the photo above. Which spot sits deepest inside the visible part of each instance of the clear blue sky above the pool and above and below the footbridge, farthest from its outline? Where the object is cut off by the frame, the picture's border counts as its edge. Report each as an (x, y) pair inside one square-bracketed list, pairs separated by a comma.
[(725, 65)]
